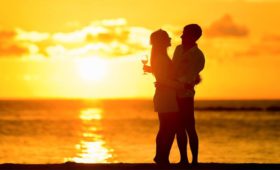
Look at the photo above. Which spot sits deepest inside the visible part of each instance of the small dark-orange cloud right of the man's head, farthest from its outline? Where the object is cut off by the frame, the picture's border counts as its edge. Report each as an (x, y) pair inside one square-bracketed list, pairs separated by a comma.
[(226, 27)]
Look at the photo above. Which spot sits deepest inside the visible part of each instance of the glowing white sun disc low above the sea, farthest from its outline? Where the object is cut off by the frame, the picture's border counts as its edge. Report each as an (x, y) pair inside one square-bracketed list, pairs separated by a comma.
[(93, 69)]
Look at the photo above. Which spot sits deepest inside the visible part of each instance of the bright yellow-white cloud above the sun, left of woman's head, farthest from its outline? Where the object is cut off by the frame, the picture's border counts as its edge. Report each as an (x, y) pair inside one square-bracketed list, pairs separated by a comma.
[(106, 38)]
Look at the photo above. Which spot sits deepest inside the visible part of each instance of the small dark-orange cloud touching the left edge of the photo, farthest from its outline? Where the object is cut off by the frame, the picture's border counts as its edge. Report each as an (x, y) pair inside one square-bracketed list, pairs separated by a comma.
[(9, 46)]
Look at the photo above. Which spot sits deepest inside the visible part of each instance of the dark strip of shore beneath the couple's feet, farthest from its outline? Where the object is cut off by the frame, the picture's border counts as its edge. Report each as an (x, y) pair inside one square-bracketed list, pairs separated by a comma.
[(139, 166)]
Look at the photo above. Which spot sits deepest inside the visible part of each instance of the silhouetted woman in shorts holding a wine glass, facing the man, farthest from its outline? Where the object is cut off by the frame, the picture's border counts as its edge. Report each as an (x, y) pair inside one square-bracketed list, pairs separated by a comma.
[(165, 103)]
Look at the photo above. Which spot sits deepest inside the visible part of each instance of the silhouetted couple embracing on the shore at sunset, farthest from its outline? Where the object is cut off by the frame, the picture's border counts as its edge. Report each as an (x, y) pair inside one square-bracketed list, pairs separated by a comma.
[(174, 93)]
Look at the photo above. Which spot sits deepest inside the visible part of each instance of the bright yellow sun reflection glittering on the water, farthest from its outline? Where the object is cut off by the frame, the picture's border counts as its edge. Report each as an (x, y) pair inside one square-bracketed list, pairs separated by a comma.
[(91, 148)]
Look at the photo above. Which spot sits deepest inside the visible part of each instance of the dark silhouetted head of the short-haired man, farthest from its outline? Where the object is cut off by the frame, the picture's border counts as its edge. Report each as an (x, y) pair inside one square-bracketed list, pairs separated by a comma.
[(191, 34)]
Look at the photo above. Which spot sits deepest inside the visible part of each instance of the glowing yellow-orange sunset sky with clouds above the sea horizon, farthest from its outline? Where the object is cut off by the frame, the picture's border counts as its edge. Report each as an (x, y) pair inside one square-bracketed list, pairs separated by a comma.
[(92, 49)]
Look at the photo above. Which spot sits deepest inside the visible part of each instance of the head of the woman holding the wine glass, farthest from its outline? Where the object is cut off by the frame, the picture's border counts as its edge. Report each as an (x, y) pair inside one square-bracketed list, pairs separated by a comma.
[(160, 38)]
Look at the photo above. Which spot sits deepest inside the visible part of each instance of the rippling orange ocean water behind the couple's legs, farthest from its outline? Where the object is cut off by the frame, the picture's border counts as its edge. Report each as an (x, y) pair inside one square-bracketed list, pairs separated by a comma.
[(112, 131)]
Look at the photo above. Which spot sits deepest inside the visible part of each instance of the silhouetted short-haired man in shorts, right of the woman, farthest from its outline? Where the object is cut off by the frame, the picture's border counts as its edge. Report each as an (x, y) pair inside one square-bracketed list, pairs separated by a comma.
[(188, 60)]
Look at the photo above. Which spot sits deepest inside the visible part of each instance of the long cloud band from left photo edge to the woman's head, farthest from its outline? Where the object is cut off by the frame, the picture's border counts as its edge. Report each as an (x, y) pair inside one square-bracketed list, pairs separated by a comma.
[(105, 38)]
